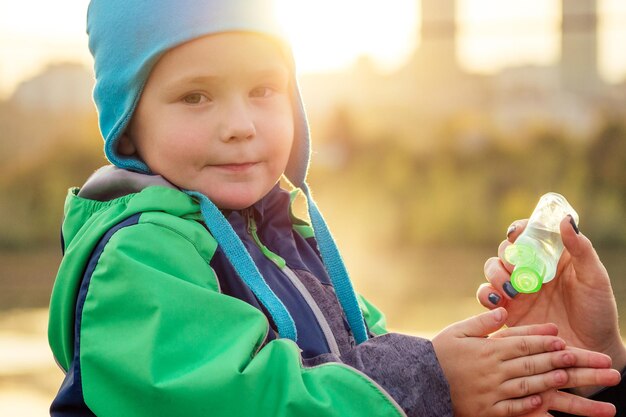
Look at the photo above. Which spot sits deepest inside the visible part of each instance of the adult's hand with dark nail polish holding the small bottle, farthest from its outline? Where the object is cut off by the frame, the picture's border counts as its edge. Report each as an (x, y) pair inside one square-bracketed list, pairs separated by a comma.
[(579, 299)]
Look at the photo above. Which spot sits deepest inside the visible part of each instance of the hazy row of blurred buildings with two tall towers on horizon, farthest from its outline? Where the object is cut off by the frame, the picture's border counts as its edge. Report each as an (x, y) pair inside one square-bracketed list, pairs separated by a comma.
[(432, 90)]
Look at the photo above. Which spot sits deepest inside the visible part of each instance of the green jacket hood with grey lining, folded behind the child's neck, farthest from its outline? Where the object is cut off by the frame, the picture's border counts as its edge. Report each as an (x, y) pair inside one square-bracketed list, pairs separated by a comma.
[(110, 196)]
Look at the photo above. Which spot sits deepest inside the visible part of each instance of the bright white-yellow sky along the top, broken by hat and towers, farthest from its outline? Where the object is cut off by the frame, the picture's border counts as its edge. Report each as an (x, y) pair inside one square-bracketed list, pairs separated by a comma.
[(329, 35)]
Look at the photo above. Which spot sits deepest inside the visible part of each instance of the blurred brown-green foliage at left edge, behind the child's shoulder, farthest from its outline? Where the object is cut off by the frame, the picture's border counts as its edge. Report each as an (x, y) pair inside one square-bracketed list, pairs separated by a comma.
[(34, 181)]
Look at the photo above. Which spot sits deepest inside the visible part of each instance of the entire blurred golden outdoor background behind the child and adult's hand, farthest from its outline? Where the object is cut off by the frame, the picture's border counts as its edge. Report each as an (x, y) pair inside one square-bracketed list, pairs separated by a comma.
[(436, 123)]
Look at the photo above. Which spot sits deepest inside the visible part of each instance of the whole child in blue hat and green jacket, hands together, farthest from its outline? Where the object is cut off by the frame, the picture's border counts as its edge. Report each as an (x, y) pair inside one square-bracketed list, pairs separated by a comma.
[(187, 288)]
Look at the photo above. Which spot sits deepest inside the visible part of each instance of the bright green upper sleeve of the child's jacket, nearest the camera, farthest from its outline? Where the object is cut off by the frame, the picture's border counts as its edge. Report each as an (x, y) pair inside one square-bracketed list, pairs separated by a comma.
[(157, 338)]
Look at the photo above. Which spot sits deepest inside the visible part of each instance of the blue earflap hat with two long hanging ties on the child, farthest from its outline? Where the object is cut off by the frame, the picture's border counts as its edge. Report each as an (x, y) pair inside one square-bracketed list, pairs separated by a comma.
[(126, 39)]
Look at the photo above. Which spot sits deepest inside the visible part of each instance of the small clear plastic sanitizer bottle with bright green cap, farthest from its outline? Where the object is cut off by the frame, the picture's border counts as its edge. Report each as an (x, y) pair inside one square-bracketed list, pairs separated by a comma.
[(537, 250)]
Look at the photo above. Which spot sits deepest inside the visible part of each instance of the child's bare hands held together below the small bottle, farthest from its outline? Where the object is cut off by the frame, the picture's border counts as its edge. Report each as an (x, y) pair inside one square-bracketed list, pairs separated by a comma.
[(502, 375)]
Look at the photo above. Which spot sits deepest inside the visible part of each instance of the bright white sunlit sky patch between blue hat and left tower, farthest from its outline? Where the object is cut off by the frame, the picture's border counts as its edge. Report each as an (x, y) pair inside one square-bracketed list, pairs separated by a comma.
[(328, 34)]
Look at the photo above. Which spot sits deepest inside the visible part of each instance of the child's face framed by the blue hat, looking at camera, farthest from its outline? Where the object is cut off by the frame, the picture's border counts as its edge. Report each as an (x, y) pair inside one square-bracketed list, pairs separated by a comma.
[(215, 116)]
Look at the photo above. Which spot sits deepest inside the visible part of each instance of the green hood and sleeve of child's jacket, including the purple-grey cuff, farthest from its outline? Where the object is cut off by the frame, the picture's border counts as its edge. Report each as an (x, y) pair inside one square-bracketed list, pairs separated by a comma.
[(141, 326)]
